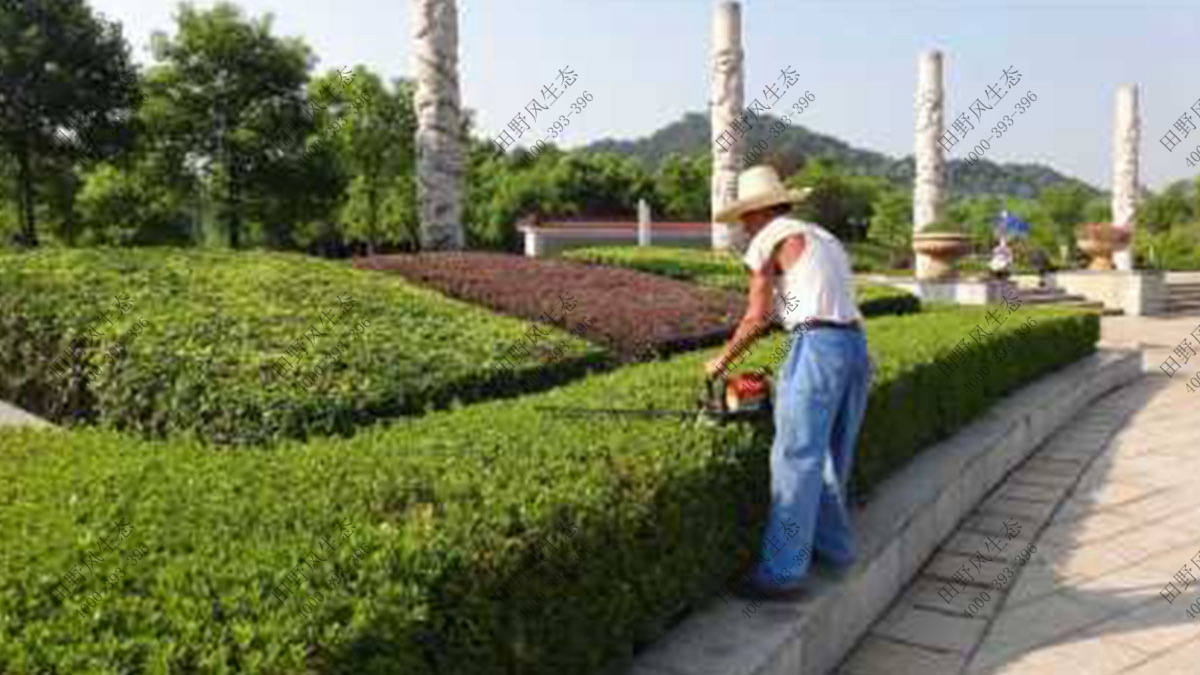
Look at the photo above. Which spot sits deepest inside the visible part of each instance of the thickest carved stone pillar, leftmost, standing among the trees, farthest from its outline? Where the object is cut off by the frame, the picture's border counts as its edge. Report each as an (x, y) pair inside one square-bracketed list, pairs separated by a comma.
[(440, 156)]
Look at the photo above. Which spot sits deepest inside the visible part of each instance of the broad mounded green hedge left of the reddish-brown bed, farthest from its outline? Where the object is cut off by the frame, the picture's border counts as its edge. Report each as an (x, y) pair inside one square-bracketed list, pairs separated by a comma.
[(217, 326)]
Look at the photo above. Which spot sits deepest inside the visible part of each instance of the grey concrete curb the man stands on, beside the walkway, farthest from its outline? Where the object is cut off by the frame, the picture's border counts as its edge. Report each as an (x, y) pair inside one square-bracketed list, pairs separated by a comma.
[(910, 515)]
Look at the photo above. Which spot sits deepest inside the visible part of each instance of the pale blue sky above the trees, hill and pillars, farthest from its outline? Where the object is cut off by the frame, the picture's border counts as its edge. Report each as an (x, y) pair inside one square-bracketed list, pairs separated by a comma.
[(646, 63)]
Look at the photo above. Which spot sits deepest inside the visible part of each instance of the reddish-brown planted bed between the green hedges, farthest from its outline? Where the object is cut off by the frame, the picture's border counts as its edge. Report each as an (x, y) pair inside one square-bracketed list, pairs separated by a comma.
[(635, 314)]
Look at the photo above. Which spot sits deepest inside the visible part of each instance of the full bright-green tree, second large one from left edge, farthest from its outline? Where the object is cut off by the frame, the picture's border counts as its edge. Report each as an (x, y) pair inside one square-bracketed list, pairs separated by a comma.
[(231, 97)]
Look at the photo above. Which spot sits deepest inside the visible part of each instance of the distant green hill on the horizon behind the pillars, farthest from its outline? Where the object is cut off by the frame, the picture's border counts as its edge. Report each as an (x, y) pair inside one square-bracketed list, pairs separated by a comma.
[(691, 136)]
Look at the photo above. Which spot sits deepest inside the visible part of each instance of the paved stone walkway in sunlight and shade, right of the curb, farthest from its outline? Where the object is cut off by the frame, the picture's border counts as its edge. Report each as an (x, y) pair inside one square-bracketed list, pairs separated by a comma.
[(1112, 503)]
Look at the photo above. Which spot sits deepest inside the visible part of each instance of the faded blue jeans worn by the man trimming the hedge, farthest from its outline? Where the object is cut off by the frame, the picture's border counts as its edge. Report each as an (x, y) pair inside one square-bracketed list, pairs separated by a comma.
[(820, 403)]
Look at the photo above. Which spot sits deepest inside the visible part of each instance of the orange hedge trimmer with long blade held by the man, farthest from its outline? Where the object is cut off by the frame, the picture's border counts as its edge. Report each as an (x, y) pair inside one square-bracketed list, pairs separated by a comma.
[(746, 397)]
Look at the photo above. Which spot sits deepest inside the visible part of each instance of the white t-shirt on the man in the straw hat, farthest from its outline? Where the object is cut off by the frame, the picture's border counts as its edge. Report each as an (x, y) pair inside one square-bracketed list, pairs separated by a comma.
[(820, 285)]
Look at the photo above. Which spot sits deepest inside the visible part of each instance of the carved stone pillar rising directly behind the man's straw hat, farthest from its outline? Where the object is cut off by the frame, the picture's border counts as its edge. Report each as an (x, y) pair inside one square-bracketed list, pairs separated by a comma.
[(727, 105)]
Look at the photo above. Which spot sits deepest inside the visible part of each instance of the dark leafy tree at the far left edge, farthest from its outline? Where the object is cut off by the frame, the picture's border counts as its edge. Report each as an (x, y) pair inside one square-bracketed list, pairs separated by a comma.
[(64, 74)]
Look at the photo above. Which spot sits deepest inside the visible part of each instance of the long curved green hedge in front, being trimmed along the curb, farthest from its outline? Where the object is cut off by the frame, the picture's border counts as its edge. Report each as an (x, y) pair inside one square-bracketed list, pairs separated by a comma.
[(452, 505)]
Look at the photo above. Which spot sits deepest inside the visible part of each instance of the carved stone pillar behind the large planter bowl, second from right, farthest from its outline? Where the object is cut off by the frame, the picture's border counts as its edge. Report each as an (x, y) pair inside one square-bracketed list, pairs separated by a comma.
[(929, 181)]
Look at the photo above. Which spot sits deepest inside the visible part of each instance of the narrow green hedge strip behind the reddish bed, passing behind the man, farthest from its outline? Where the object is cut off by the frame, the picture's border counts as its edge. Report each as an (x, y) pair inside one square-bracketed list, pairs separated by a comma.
[(724, 271)]
